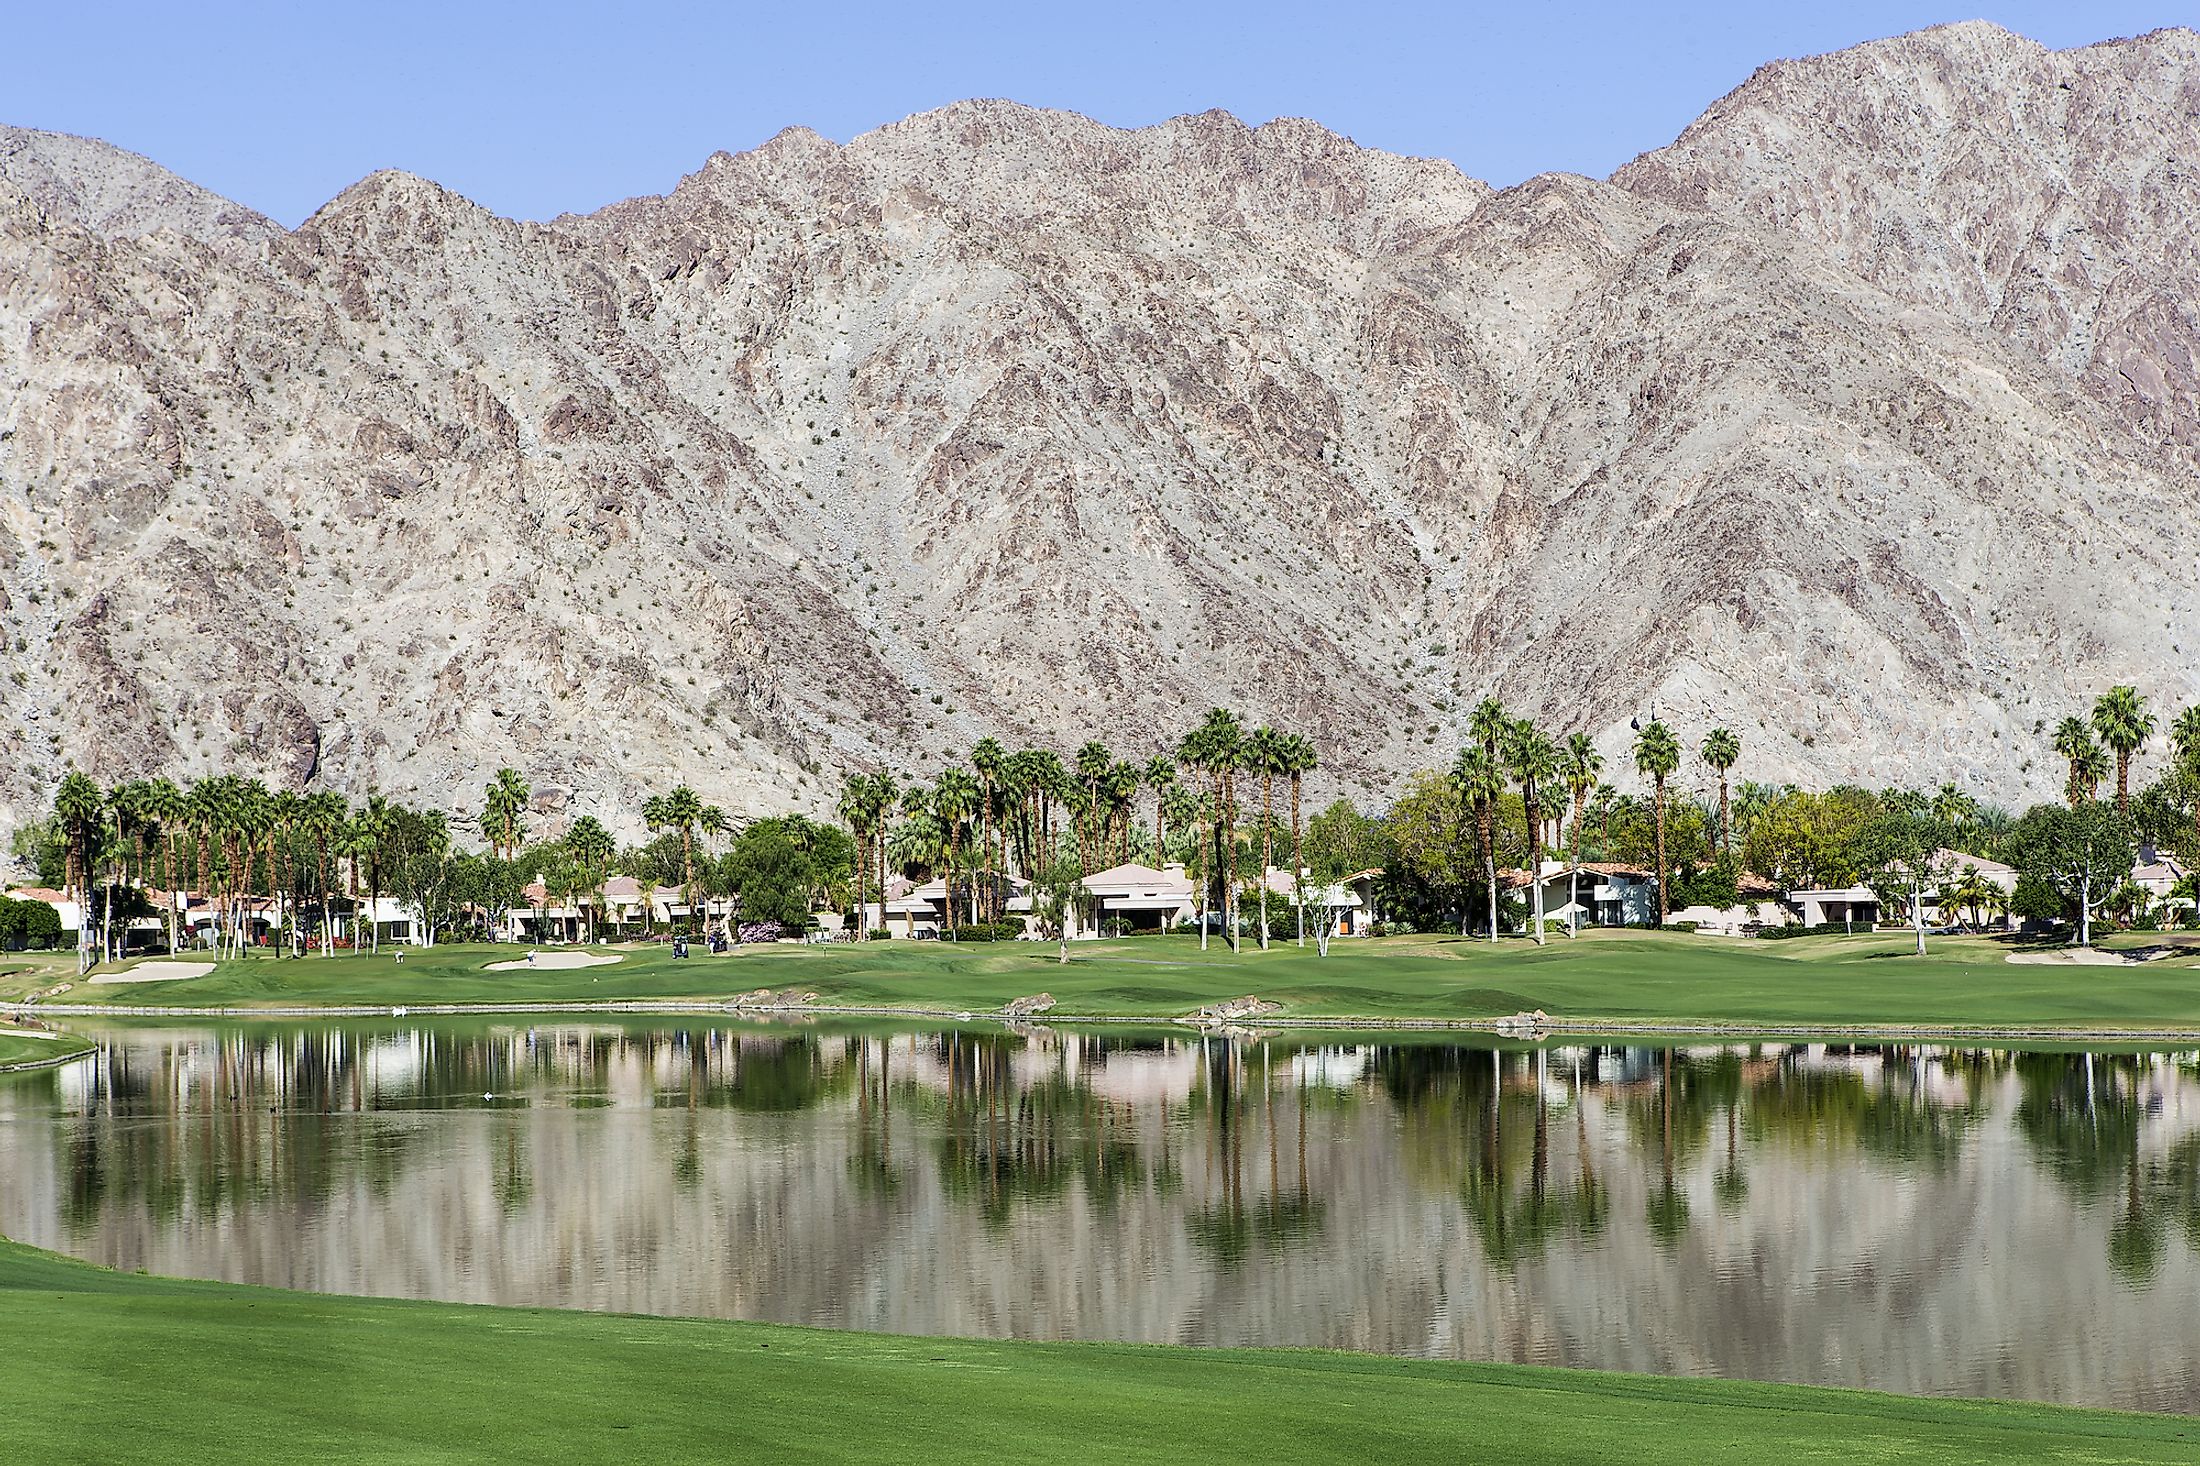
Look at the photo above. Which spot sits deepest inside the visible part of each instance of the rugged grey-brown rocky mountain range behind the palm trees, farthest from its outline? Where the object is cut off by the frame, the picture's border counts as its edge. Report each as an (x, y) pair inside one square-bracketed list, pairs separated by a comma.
[(1856, 422)]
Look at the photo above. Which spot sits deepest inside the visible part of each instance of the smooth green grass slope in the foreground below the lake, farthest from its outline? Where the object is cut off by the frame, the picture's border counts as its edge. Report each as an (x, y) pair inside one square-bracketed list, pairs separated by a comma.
[(151, 1370)]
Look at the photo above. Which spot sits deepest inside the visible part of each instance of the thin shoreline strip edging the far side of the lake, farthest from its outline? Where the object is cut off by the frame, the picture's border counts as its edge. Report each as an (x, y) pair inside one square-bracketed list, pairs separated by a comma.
[(1510, 1027)]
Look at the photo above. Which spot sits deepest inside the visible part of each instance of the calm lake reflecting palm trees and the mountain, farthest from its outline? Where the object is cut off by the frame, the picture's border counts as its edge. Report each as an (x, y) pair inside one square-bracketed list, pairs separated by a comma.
[(1913, 1218)]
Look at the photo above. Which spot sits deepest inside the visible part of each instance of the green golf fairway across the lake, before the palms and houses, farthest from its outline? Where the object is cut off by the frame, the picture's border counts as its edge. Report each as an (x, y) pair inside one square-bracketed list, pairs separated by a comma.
[(1618, 976)]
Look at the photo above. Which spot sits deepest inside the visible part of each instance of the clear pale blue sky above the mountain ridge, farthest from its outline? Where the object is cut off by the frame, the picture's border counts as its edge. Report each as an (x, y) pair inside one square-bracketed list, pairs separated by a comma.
[(551, 107)]
